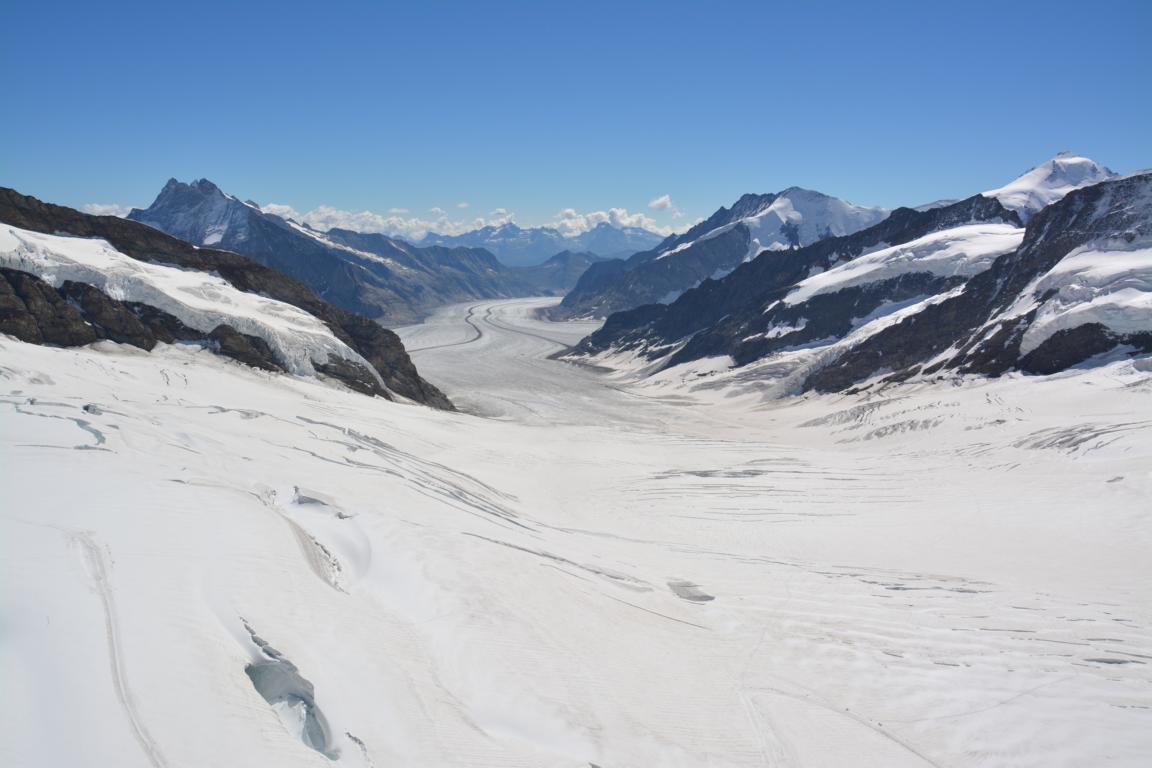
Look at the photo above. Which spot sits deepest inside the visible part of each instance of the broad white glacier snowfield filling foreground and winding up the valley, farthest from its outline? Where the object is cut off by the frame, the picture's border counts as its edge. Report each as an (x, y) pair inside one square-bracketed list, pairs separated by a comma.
[(945, 575)]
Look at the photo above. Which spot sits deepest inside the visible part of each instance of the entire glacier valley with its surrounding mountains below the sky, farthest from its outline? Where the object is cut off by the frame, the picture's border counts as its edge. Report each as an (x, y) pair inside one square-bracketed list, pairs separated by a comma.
[(808, 484)]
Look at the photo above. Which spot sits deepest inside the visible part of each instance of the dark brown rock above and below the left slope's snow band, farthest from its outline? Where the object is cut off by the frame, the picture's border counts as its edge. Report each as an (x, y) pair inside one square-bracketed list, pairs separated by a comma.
[(60, 320)]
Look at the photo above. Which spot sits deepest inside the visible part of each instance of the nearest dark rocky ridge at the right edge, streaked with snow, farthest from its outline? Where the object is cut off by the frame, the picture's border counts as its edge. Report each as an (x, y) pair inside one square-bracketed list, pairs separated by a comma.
[(989, 323)]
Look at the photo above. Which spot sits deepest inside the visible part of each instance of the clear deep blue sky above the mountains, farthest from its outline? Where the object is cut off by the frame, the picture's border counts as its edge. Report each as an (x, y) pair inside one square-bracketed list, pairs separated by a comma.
[(535, 108)]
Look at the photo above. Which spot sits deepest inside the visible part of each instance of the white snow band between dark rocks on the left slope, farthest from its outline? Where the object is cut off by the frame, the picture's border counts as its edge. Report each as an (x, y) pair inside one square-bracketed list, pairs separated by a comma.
[(200, 300)]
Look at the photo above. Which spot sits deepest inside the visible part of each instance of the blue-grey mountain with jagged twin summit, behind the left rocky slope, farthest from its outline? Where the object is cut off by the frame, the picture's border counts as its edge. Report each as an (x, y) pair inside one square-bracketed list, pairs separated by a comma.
[(372, 275)]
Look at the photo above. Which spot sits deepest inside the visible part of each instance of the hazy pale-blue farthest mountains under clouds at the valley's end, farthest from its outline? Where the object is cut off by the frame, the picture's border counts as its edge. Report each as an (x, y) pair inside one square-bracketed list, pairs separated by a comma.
[(528, 247)]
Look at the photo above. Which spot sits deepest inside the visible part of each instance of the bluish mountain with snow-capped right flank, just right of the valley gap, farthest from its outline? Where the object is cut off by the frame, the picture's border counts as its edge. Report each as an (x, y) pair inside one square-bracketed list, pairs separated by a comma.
[(732, 237)]
